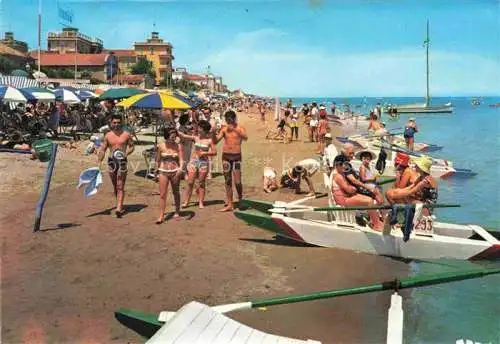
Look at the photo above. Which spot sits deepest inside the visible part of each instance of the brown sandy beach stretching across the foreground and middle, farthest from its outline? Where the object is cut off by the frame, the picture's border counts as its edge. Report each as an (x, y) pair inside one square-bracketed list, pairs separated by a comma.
[(63, 284)]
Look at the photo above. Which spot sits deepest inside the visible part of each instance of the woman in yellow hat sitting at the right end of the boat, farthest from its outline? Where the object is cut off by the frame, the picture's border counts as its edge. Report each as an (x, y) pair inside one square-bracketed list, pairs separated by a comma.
[(423, 190)]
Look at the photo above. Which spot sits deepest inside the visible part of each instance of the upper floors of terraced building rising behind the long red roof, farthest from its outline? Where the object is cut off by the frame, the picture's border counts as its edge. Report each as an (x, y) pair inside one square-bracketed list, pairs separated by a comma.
[(71, 41)]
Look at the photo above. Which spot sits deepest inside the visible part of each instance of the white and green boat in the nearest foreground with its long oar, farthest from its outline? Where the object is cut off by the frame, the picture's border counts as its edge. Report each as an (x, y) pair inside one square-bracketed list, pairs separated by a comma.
[(196, 323)]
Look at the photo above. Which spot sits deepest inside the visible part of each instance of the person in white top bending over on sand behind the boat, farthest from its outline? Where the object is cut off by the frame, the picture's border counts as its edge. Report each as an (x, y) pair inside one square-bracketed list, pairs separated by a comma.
[(304, 169)]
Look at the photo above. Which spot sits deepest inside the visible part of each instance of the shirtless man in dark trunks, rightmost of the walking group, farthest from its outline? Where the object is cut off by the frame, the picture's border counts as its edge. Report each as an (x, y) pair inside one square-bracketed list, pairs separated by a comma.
[(233, 135)]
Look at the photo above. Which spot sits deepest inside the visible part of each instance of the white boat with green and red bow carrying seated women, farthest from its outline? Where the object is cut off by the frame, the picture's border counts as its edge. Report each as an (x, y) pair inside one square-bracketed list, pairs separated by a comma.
[(338, 227)]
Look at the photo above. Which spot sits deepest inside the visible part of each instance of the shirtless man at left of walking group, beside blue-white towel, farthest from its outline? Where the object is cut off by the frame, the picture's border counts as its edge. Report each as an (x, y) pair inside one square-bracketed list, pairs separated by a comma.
[(120, 146)]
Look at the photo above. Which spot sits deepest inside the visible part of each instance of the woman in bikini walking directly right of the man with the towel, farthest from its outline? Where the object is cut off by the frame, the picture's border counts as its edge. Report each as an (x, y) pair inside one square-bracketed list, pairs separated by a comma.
[(169, 163)]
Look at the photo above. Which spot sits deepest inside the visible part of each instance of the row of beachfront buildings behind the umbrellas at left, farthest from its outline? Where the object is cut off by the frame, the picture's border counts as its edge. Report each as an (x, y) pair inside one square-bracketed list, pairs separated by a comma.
[(86, 57)]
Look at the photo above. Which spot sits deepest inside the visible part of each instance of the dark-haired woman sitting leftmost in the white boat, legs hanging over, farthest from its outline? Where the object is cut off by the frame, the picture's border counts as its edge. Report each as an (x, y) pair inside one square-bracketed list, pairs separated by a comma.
[(345, 194)]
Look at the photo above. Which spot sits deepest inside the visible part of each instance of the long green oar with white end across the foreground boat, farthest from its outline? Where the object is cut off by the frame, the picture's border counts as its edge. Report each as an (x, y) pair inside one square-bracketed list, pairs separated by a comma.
[(397, 284)]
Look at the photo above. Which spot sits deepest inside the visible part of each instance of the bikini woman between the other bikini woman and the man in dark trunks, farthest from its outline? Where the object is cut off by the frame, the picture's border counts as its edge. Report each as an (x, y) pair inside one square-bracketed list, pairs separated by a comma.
[(199, 164)]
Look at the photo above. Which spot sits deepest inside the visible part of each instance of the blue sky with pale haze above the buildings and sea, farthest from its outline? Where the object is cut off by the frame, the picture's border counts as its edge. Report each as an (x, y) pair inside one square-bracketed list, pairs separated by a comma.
[(300, 48)]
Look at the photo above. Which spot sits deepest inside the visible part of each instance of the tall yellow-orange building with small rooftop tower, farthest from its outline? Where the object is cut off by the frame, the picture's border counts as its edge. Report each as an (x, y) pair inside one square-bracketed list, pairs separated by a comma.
[(159, 53)]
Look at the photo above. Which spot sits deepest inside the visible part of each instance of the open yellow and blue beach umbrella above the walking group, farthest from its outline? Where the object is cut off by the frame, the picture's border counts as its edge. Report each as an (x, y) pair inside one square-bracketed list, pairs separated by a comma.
[(157, 100)]
